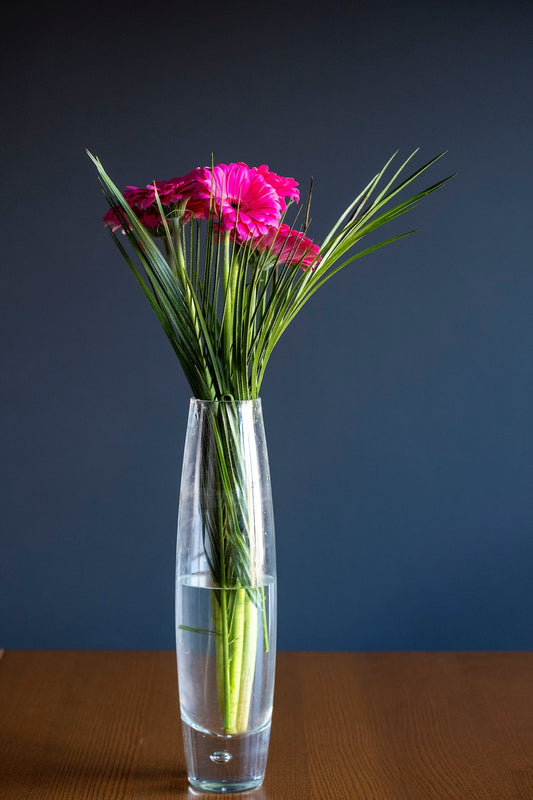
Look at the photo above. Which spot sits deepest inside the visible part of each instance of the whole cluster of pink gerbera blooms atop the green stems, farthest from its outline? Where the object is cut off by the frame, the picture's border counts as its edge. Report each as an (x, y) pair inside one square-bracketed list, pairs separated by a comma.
[(246, 201)]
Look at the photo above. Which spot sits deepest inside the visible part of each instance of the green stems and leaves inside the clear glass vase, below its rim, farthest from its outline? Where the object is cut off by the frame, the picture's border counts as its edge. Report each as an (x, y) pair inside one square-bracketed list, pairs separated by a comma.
[(228, 500)]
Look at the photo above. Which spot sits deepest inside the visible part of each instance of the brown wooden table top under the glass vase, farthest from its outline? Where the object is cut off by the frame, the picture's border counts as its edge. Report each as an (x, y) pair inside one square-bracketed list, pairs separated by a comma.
[(347, 726)]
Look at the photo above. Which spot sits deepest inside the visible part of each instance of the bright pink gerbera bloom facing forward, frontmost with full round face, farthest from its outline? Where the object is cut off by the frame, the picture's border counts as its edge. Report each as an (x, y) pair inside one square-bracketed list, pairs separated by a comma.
[(240, 196)]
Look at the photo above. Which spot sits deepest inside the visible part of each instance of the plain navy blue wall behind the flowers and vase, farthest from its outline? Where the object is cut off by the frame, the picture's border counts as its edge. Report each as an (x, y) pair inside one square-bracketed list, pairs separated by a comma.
[(398, 405)]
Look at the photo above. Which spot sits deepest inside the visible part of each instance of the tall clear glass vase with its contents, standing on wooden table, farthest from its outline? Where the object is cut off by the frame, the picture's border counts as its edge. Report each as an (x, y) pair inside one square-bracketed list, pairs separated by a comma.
[(225, 596)]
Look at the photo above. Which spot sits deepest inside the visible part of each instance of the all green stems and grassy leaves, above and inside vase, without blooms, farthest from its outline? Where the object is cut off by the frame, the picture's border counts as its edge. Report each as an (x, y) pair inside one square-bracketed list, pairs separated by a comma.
[(224, 305)]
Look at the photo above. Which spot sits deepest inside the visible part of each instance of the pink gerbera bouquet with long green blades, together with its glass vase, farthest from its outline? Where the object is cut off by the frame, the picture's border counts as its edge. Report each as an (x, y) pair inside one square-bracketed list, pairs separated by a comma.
[(225, 275)]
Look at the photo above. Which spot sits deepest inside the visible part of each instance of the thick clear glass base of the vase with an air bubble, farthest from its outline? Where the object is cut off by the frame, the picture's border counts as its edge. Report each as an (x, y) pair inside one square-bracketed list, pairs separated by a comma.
[(225, 764)]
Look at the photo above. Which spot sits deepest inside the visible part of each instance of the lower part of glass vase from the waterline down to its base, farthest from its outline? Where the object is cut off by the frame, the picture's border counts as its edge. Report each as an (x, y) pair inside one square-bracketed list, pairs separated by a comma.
[(226, 661)]
